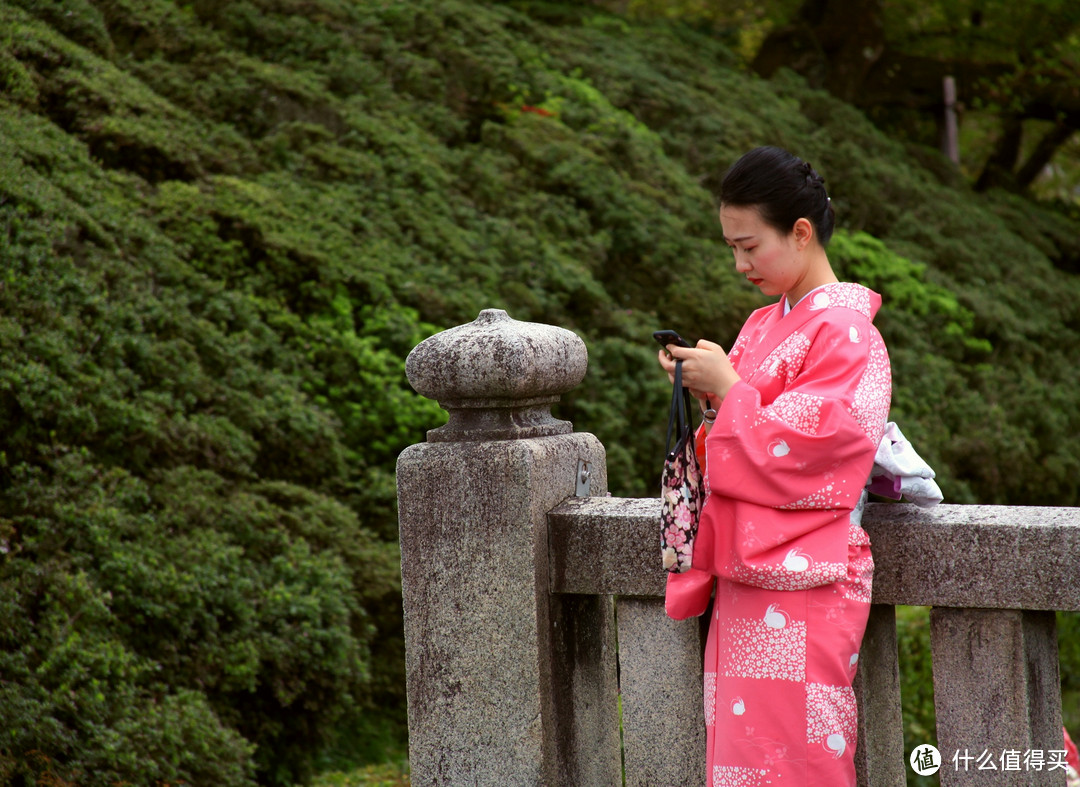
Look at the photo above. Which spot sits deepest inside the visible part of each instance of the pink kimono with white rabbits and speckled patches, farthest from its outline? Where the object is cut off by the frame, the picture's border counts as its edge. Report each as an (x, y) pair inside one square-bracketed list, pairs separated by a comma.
[(786, 464)]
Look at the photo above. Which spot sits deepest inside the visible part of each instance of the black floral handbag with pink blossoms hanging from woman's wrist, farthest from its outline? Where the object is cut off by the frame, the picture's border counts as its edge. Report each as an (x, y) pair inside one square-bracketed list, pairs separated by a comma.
[(683, 495)]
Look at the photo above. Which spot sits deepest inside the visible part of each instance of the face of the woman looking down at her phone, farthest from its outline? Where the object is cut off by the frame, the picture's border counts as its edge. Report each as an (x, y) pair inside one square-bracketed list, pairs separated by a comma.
[(769, 260)]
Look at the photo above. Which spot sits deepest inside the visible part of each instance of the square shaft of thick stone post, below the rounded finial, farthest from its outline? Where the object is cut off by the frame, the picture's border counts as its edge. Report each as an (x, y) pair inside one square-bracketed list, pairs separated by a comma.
[(478, 622)]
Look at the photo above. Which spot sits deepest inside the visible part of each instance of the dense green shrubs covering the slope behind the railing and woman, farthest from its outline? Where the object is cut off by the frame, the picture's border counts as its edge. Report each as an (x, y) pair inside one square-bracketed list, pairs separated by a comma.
[(224, 226)]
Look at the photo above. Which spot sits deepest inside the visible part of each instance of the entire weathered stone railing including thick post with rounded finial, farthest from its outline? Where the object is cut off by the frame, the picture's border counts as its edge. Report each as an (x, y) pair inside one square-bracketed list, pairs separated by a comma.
[(538, 652)]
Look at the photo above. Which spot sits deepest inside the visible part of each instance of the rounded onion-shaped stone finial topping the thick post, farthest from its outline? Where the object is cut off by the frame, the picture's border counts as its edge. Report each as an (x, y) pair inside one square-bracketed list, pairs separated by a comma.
[(498, 377)]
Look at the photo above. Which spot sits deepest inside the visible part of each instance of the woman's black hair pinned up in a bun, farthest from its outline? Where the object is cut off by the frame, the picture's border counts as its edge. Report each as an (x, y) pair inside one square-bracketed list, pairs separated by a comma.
[(784, 188)]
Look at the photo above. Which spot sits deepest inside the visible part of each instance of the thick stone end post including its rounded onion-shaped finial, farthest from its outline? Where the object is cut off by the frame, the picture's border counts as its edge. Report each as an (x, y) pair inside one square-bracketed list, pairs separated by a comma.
[(488, 646)]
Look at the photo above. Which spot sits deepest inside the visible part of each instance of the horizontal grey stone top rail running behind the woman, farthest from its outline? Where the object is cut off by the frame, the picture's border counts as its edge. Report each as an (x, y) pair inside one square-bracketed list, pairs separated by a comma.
[(980, 557)]
